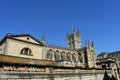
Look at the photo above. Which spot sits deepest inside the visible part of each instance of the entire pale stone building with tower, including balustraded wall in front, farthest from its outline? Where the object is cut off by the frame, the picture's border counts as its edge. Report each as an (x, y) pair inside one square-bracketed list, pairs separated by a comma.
[(24, 57)]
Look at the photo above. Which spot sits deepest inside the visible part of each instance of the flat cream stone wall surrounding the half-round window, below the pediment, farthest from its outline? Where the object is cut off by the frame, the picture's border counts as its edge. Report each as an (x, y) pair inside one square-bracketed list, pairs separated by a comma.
[(14, 48)]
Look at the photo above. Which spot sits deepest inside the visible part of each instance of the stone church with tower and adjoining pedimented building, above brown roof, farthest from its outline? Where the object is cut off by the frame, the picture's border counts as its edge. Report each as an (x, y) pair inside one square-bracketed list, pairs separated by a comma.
[(74, 55)]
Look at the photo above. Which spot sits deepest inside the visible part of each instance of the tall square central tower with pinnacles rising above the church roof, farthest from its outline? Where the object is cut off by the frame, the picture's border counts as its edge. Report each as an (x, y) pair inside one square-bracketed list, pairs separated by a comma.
[(74, 41)]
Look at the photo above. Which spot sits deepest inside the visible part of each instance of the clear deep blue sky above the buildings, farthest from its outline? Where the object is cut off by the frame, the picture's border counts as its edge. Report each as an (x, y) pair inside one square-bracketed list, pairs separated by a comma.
[(97, 20)]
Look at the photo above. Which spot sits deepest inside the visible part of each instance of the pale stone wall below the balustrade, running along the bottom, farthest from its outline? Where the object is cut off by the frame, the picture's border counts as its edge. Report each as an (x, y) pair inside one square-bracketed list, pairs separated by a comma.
[(53, 76)]
